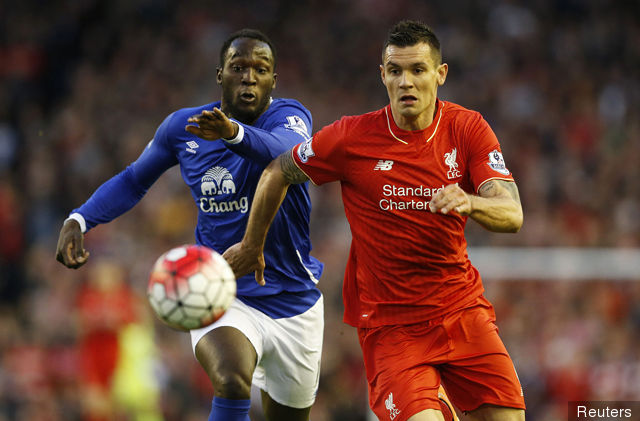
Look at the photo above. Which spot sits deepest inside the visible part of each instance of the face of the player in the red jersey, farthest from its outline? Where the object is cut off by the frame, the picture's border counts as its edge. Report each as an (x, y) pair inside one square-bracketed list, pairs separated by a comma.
[(412, 76)]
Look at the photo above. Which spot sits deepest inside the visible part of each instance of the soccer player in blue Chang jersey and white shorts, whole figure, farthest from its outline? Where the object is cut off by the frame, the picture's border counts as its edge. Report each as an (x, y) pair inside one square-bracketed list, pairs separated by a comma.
[(271, 336)]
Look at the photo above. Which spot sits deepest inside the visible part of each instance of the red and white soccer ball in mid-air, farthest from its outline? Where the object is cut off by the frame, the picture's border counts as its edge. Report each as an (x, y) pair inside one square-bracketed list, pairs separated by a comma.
[(190, 287)]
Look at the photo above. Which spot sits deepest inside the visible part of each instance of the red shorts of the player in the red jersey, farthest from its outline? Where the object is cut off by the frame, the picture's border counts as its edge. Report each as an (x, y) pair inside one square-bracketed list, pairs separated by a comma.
[(406, 363)]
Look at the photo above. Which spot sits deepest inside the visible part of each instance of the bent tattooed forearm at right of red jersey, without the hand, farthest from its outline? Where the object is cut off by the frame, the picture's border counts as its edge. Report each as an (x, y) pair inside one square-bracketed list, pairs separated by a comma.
[(497, 206)]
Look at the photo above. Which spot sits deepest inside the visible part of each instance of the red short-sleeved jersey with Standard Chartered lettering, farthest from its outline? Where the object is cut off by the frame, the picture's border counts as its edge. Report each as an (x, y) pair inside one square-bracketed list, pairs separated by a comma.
[(406, 264)]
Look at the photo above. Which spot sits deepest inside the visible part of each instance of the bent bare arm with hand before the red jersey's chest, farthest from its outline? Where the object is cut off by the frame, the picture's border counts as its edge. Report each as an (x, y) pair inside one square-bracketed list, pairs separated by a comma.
[(496, 207)]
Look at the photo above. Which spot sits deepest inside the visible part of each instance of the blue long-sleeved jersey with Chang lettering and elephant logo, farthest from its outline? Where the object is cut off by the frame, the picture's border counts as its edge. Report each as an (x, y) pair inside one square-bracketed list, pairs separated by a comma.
[(223, 178)]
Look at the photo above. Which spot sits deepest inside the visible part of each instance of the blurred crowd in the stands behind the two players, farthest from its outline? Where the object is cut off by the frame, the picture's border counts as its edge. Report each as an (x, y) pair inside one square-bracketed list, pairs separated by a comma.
[(83, 85)]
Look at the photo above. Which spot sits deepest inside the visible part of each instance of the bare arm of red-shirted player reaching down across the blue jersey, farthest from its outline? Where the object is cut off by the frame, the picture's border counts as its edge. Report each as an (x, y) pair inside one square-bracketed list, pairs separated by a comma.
[(247, 255)]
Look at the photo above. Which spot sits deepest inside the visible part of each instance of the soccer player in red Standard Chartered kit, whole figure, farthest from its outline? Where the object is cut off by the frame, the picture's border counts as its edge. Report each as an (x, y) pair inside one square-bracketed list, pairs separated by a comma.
[(412, 174)]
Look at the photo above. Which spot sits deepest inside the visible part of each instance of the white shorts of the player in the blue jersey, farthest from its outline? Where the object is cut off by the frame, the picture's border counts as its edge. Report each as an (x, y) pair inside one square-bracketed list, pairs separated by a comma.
[(289, 350)]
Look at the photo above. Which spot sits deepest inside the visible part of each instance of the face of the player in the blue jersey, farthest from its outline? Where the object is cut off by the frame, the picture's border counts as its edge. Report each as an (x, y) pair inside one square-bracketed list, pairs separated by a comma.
[(247, 79)]
